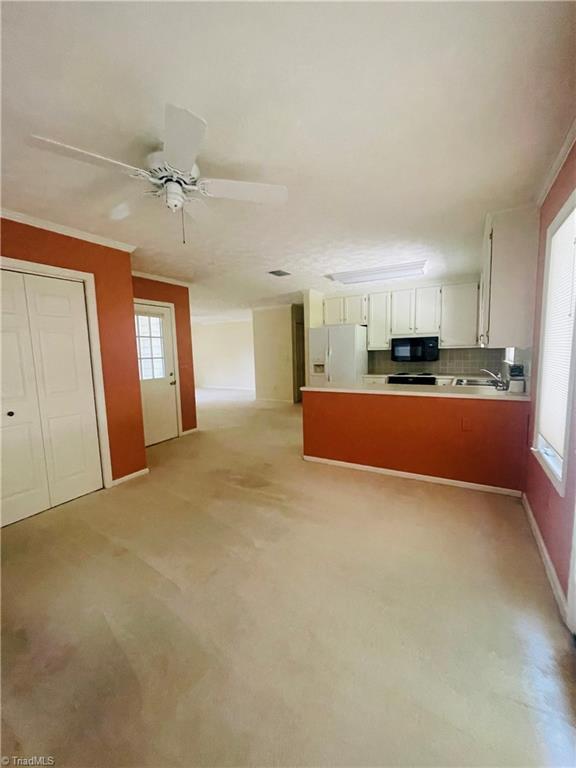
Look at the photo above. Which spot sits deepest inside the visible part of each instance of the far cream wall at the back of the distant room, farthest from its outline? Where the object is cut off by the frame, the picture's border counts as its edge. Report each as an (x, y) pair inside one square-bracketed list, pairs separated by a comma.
[(224, 355)]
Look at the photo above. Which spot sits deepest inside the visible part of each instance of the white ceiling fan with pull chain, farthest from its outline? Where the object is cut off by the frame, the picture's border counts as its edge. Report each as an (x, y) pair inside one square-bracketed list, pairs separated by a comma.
[(172, 172)]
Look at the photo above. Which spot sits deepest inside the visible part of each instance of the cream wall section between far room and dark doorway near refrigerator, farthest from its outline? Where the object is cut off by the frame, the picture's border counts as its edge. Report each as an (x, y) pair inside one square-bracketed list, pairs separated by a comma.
[(273, 353)]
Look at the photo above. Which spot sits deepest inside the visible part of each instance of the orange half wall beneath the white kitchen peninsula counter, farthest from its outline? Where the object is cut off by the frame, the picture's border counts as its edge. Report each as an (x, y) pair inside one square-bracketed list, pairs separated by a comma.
[(476, 441)]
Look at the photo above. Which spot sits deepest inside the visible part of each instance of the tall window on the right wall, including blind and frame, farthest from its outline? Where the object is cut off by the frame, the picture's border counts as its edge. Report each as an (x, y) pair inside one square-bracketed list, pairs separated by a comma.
[(556, 374)]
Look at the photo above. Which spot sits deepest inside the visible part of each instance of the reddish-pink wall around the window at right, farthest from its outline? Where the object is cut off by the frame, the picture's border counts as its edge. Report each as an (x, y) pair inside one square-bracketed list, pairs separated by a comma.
[(554, 514)]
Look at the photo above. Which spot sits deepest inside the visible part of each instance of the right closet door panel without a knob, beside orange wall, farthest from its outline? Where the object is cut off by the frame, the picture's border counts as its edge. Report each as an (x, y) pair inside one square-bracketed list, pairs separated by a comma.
[(57, 313)]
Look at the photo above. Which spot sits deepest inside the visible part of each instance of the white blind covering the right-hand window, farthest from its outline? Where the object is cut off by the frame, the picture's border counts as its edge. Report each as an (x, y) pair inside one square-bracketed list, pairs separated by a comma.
[(557, 336)]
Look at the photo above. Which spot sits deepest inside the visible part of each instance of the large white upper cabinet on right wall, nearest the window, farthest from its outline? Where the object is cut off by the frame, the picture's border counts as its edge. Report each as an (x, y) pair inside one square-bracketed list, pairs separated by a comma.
[(508, 283)]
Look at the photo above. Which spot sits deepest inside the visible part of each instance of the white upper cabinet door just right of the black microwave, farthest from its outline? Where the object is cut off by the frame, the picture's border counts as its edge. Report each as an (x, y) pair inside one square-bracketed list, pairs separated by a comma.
[(459, 324)]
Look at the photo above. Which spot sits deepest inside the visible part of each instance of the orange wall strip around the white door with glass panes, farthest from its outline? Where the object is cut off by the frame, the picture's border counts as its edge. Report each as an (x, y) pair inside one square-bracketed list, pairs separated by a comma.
[(155, 290)]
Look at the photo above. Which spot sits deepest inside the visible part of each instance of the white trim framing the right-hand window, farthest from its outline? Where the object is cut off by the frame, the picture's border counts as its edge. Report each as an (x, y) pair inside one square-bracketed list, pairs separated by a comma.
[(558, 481)]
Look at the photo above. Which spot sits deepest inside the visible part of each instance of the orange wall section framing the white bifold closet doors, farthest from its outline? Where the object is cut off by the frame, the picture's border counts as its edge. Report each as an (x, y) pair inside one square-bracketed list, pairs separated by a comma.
[(113, 283)]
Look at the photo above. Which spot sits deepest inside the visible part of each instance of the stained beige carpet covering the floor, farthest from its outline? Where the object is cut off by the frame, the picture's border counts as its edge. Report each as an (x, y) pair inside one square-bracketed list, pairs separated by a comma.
[(240, 607)]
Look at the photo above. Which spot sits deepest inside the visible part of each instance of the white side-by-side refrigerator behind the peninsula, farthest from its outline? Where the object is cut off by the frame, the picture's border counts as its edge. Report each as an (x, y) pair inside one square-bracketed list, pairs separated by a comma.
[(337, 356)]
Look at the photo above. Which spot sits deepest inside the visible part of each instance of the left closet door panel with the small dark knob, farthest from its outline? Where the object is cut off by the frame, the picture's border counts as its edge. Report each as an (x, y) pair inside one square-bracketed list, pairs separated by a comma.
[(24, 480)]
